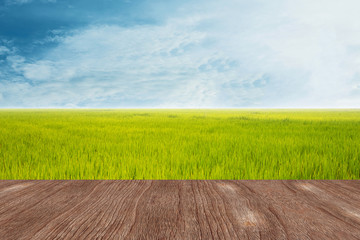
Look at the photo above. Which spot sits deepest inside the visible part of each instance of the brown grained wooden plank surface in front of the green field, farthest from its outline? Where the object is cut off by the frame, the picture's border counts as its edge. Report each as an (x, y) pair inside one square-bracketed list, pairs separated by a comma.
[(179, 209)]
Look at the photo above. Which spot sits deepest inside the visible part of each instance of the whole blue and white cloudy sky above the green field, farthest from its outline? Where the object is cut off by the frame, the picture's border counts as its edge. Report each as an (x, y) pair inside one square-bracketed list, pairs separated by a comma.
[(179, 54)]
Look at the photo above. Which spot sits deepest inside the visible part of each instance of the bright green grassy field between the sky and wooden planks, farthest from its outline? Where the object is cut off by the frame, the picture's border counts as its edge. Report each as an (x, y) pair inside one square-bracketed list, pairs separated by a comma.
[(179, 144)]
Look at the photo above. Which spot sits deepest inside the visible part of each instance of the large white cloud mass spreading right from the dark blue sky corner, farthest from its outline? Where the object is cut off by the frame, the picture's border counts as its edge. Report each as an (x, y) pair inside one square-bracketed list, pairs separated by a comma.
[(242, 53)]
